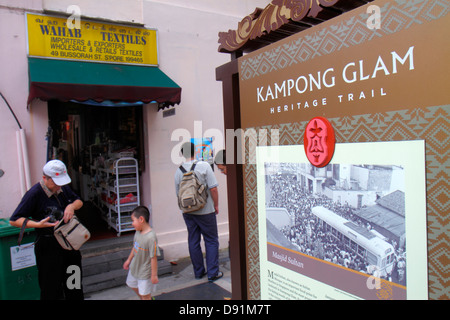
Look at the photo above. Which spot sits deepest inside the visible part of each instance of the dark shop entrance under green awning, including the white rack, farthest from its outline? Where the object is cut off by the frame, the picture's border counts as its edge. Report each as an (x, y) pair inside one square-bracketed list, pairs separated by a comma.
[(92, 139)]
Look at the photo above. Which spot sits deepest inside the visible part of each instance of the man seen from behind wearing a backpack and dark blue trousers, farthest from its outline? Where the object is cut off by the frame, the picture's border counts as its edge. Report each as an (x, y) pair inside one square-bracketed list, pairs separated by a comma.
[(198, 199)]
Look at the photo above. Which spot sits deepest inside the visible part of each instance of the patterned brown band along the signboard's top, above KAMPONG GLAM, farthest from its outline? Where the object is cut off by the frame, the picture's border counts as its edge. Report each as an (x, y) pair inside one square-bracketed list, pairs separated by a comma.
[(396, 17)]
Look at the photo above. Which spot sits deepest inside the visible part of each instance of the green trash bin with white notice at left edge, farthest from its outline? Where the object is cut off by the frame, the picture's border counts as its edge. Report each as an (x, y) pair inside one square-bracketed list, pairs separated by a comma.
[(18, 271)]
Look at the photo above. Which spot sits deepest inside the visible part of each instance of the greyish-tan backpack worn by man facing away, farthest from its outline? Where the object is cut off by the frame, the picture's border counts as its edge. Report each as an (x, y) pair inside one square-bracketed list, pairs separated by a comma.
[(191, 194)]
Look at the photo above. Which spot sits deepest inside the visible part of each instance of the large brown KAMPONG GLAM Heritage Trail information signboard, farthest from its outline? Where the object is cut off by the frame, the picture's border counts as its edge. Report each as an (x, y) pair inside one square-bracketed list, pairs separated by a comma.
[(356, 227)]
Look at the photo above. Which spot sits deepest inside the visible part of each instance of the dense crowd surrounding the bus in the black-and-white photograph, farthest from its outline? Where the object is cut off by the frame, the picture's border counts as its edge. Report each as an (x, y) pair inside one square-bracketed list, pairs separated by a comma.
[(308, 236)]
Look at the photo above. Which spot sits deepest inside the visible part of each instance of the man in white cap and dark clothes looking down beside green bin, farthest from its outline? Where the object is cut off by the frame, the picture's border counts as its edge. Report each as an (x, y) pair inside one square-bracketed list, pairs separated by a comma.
[(49, 199)]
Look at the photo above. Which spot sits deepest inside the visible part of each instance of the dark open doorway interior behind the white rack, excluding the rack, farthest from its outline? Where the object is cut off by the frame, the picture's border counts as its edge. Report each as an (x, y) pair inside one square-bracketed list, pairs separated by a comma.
[(84, 135)]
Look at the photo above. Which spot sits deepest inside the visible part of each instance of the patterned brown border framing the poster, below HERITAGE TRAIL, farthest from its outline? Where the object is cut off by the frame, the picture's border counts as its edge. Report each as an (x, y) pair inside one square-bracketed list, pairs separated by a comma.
[(431, 124)]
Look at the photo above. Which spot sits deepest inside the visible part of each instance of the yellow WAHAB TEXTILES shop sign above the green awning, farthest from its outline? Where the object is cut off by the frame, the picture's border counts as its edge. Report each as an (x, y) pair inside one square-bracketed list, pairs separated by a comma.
[(54, 37)]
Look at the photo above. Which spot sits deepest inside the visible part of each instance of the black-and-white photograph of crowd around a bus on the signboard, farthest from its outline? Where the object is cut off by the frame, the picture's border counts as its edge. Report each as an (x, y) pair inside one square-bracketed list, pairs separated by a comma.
[(346, 214)]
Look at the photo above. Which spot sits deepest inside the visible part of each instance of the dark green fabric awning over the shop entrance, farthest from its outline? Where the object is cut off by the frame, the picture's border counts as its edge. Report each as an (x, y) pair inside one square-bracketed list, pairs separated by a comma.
[(66, 80)]
